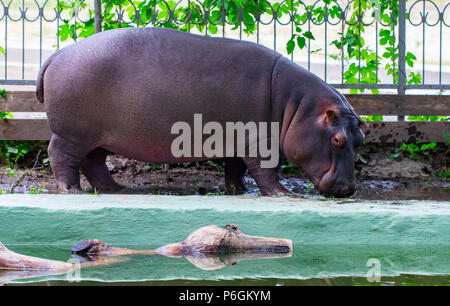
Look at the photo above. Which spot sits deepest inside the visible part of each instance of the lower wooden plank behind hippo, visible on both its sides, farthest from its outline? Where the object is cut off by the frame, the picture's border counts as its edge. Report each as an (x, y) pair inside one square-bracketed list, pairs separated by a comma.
[(385, 132)]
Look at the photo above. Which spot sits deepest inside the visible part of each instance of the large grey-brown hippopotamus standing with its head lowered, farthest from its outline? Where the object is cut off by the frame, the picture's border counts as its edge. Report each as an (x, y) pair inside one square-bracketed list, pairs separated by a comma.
[(121, 91)]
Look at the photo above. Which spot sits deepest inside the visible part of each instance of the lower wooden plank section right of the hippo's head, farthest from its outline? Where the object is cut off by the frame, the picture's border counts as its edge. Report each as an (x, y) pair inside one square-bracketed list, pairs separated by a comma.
[(396, 132)]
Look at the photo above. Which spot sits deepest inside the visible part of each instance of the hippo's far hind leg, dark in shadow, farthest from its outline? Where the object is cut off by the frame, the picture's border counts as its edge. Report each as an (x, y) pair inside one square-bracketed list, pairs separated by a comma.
[(97, 173)]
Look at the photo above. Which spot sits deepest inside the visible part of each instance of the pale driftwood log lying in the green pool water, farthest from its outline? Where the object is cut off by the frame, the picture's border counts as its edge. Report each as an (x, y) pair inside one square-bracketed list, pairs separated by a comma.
[(208, 248)]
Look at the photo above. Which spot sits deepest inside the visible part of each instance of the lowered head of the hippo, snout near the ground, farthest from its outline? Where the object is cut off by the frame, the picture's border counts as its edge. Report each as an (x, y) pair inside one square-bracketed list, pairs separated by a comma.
[(321, 138)]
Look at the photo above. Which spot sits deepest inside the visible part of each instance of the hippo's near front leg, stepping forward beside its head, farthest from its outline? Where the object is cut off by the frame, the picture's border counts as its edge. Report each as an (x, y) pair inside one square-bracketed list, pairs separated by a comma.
[(266, 178)]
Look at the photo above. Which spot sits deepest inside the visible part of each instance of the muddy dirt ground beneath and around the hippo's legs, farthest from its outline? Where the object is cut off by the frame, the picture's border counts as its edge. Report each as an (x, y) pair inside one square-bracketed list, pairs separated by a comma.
[(378, 176)]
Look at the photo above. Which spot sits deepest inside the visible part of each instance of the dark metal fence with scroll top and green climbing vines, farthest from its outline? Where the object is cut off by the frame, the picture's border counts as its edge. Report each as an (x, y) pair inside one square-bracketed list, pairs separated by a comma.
[(420, 28)]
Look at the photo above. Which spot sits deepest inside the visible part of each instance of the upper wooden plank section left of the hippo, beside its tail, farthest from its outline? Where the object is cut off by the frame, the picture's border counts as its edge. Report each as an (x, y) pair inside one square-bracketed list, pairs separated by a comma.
[(21, 101)]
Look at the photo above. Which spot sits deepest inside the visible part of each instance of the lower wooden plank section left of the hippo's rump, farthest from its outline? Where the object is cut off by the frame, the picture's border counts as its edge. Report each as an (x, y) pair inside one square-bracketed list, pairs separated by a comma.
[(23, 129)]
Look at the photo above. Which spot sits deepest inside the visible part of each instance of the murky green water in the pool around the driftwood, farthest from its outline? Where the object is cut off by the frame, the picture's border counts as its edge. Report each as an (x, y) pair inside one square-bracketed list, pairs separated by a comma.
[(309, 265)]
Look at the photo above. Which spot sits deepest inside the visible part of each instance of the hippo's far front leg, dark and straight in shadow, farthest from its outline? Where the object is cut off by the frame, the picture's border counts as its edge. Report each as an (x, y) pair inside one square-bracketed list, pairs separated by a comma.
[(235, 169)]
